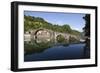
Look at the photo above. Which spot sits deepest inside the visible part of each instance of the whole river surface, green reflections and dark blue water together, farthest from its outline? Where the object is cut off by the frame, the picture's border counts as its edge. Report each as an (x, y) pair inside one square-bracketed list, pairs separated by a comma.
[(42, 49)]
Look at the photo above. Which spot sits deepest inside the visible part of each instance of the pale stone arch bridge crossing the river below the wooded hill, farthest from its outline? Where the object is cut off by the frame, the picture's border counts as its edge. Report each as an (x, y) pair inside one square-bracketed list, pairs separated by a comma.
[(45, 34)]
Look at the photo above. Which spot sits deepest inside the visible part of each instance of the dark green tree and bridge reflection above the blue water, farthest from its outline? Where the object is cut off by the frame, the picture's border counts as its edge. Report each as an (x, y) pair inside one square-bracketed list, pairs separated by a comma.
[(34, 46)]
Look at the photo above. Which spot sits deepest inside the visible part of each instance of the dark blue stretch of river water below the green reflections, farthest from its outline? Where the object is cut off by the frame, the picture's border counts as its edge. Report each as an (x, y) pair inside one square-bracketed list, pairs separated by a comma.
[(59, 52)]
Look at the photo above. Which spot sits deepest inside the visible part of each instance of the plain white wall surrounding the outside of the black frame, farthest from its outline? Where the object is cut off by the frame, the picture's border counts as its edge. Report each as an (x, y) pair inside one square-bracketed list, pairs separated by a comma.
[(5, 35)]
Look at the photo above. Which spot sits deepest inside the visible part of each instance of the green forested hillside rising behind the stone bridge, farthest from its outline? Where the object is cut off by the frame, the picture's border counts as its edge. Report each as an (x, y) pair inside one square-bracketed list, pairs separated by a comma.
[(31, 22)]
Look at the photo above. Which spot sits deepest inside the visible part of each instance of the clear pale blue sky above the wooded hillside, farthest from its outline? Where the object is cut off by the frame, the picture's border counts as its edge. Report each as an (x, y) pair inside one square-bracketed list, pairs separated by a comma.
[(75, 20)]
